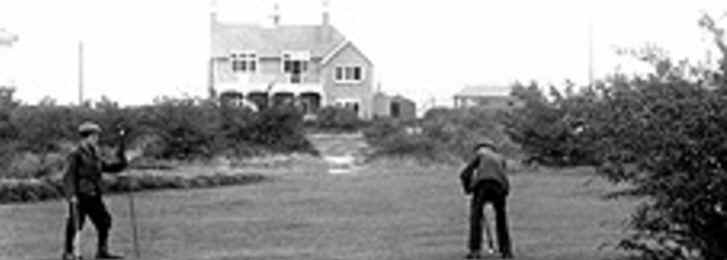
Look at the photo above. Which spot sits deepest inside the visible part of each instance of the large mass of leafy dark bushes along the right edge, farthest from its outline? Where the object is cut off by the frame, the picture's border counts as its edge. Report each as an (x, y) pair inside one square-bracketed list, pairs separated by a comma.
[(663, 135)]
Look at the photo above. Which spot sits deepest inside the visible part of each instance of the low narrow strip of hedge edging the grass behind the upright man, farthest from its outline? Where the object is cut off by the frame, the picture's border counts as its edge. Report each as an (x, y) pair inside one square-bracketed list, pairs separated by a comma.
[(33, 190)]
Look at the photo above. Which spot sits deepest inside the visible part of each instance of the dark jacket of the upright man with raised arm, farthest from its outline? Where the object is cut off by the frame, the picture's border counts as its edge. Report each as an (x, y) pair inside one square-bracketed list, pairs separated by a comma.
[(84, 168)]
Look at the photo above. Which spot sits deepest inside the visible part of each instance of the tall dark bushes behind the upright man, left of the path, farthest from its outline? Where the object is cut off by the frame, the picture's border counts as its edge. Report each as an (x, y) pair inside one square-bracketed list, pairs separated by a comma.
[(170, 129)]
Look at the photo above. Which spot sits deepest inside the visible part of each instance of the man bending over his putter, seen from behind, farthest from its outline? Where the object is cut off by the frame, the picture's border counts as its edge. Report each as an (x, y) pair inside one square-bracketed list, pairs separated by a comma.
[(485, 178)]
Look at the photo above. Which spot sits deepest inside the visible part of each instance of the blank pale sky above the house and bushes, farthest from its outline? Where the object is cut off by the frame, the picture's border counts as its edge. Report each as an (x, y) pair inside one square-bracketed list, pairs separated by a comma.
[(138, 49)]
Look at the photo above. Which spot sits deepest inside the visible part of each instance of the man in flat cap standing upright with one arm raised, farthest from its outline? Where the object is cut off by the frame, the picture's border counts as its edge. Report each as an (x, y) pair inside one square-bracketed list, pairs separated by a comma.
[(82, 185)]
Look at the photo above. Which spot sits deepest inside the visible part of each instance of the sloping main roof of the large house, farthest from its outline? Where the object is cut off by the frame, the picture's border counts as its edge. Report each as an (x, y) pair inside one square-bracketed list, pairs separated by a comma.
[(272, 41)]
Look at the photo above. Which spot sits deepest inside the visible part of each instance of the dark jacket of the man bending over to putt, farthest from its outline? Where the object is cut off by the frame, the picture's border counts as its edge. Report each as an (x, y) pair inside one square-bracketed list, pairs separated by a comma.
[(485, 167)]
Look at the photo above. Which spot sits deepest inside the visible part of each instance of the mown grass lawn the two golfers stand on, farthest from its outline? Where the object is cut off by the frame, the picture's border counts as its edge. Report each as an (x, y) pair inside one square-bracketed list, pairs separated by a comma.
[(381, 212)]
